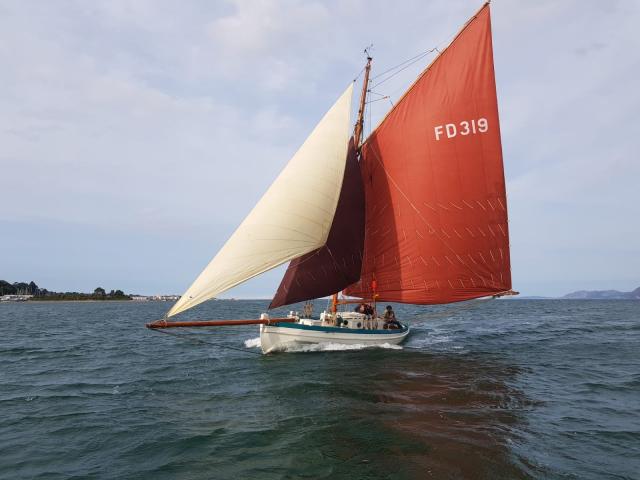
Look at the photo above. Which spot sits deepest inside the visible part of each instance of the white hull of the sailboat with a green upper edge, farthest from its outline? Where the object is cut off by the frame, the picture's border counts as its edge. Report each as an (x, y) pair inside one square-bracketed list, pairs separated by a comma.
[(278, 338)]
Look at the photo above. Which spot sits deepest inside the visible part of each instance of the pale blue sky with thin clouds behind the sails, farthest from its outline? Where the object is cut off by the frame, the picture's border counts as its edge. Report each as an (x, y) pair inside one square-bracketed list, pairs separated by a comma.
[(136, 135)]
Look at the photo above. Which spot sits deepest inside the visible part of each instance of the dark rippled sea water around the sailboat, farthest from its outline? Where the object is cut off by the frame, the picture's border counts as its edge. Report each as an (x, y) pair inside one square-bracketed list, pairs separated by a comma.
[(484, 390)]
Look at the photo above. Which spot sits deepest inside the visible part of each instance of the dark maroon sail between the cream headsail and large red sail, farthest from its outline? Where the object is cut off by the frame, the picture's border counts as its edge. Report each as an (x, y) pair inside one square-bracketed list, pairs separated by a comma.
[(331, 268)]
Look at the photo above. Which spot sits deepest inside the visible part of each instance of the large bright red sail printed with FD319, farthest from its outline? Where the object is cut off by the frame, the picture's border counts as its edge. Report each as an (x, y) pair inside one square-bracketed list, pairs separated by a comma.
[(436, 209)]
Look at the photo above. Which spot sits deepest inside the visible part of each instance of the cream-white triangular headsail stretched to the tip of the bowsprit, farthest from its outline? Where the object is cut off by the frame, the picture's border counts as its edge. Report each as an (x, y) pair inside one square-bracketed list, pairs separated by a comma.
[(292, 218)]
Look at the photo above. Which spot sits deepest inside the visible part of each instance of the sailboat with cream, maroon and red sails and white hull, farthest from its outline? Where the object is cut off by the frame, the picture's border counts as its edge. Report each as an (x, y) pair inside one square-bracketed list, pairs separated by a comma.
[(415, 213)]
